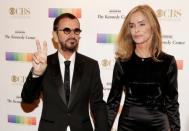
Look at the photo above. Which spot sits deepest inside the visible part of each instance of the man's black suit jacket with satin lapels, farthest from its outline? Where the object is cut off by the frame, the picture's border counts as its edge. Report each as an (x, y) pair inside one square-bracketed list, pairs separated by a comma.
[(86, 91)]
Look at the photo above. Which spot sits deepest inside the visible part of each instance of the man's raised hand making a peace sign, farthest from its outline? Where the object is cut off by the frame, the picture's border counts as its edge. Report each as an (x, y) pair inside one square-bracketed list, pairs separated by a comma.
[(39, 59)]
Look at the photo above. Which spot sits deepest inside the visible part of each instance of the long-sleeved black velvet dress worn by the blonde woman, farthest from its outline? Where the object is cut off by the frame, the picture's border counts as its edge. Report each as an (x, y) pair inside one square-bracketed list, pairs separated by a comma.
[(151, 95)]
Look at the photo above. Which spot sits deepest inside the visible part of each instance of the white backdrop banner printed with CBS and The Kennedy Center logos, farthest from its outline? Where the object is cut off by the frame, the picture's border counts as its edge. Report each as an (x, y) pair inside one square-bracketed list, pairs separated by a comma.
[(23, 21)]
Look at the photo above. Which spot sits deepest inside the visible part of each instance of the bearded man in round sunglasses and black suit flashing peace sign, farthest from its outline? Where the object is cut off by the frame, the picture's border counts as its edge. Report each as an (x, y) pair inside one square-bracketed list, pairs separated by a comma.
[(68, 90)]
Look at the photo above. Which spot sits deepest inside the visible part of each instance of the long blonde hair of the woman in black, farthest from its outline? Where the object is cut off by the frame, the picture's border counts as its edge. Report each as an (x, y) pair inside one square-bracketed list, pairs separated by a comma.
[(125, 45)]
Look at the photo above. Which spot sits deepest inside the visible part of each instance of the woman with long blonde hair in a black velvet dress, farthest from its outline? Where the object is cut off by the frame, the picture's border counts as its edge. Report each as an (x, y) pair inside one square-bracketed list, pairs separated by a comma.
[(146, 74)]
